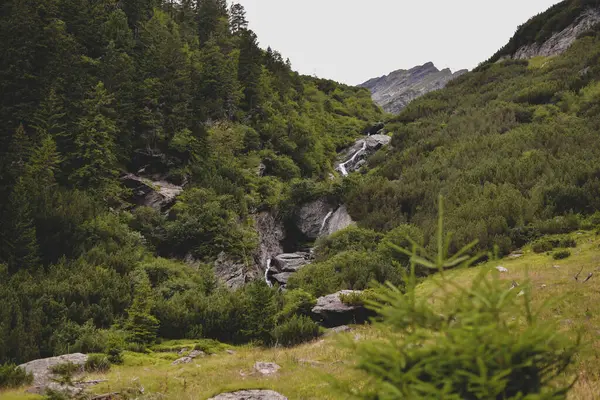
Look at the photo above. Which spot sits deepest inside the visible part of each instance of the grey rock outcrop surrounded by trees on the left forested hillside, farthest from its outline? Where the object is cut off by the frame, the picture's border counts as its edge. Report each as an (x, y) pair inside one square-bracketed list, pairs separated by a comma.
[(158, 194)]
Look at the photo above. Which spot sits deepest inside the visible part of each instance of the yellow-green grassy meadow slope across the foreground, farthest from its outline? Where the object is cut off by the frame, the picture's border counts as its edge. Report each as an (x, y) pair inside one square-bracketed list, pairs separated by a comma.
[(574, 306)]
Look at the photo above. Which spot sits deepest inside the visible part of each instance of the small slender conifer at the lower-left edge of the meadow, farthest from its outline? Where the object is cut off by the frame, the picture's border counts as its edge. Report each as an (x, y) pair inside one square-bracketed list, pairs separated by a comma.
[(141, 325)]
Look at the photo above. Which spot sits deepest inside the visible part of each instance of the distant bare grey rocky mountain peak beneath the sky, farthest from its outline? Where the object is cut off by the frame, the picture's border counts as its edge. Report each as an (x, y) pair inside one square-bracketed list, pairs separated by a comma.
[(393, 92)]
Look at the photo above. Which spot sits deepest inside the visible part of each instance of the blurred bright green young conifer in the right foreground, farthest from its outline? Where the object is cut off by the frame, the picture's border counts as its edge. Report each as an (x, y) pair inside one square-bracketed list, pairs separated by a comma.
[(483, 341)]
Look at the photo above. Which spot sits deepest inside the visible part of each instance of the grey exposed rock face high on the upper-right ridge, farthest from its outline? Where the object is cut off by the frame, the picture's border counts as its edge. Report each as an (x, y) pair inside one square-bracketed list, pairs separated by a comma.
[(560, 41)]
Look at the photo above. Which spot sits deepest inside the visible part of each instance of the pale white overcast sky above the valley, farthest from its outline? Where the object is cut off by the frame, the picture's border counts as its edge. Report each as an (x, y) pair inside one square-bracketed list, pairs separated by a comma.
[(351, 41)]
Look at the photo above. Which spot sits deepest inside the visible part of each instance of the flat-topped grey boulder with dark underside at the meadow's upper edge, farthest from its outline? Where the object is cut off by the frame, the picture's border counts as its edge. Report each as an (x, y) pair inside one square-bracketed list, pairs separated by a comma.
[(333, 312)]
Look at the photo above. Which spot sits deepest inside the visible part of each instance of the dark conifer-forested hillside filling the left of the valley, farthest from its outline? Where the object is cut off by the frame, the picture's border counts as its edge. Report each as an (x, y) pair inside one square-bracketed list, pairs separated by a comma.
[(181, 91)]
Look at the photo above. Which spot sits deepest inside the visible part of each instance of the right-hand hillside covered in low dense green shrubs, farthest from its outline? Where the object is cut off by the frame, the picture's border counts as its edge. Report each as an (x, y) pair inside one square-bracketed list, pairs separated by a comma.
[(513, 146)]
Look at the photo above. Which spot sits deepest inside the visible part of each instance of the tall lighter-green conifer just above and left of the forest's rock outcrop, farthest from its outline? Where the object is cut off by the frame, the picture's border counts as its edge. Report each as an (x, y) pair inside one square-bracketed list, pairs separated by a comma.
[(94, 161)]
